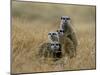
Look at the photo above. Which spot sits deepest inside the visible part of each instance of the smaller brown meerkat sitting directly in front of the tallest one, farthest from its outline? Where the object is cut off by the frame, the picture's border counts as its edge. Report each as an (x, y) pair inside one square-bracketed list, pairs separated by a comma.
[(66, 43)]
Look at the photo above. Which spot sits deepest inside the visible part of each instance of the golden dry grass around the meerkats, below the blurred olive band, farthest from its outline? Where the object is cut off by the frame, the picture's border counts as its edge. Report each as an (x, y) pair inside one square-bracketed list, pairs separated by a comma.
[(27, 35)]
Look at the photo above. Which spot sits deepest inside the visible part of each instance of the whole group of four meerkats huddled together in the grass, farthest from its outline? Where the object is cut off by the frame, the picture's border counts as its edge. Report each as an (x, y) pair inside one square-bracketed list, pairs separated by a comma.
[(61, 42)]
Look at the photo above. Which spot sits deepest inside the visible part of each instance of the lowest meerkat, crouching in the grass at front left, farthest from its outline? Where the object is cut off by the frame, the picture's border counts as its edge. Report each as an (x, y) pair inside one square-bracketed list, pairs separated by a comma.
[(52, 50)]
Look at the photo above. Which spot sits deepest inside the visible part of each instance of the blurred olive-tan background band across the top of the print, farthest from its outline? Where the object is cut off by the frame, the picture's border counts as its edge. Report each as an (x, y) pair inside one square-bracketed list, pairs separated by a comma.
[(52, 12)]
